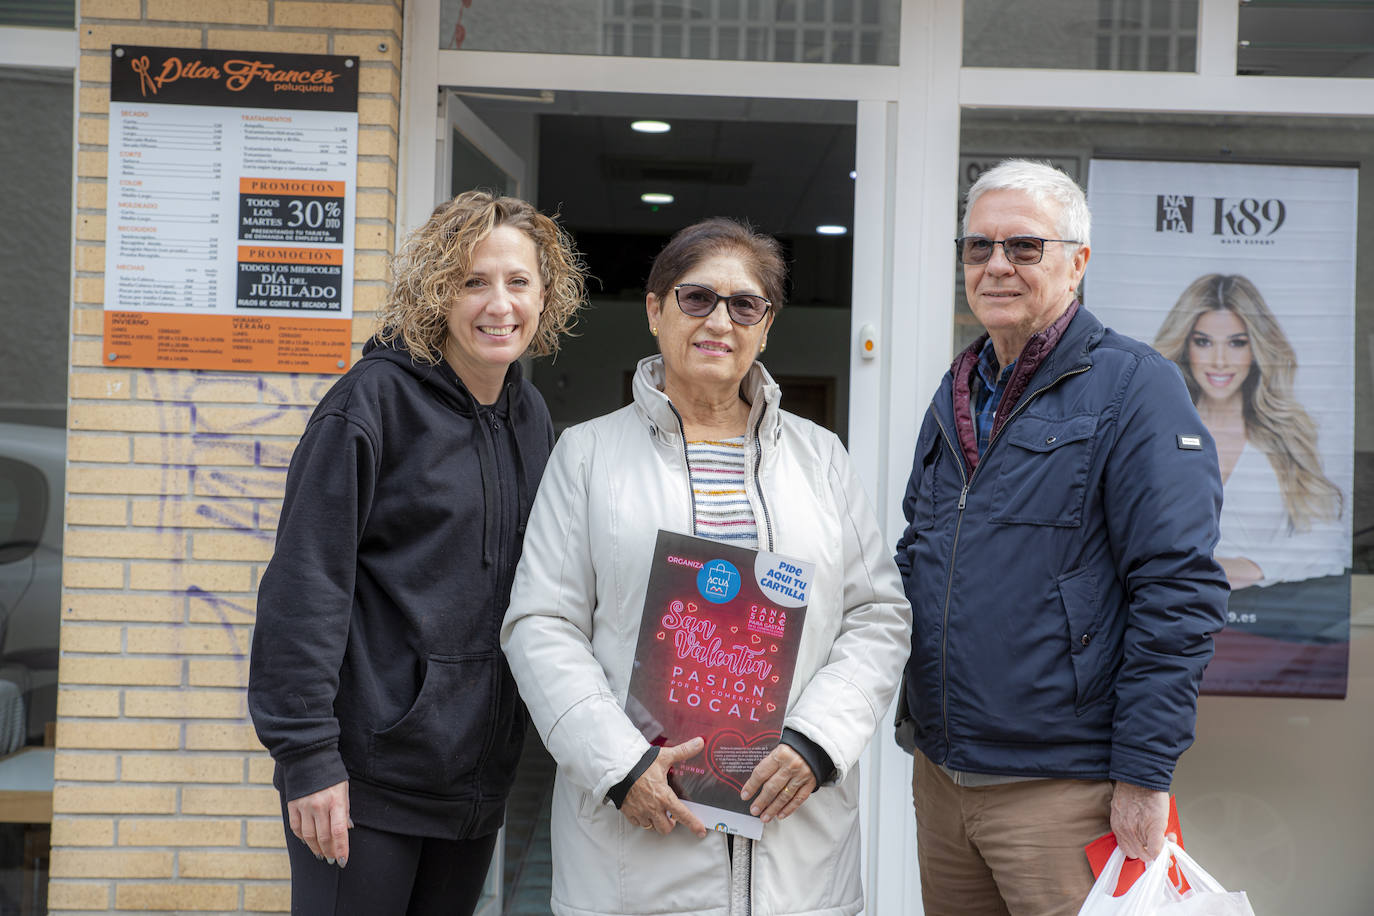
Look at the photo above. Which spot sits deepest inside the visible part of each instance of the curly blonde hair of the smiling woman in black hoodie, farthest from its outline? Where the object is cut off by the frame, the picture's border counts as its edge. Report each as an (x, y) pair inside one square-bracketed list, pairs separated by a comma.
[(429, 271)]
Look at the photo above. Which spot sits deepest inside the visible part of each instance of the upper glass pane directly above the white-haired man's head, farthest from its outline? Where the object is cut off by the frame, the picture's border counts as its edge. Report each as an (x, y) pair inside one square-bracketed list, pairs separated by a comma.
[(1070, 35)]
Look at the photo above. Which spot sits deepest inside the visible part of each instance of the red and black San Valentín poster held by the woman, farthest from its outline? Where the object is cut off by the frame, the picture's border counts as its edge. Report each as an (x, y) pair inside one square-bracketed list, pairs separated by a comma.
[(718, 648)]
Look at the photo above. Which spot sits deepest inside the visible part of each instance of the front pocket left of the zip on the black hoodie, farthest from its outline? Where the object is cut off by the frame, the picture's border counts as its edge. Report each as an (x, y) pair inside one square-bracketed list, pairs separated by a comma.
[(442, 741)]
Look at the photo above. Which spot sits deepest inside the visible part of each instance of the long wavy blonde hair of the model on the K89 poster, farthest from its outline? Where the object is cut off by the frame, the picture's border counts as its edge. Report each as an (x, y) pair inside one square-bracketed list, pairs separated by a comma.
[(1273, 415)]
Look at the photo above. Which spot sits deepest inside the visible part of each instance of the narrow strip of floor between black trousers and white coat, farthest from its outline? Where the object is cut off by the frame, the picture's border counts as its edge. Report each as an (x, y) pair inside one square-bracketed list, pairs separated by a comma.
[(528, 880)]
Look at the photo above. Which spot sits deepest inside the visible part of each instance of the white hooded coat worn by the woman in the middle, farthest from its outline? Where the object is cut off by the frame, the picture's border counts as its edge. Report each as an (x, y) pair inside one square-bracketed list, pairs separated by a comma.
[(574, 624)]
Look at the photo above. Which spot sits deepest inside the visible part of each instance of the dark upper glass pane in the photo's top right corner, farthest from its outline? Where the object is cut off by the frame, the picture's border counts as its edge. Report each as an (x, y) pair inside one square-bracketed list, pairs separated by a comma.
[(1313, 39)]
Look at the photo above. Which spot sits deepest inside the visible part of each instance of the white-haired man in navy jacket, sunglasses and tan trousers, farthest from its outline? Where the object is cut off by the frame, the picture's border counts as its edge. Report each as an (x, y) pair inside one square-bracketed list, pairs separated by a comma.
[(1061, 517)]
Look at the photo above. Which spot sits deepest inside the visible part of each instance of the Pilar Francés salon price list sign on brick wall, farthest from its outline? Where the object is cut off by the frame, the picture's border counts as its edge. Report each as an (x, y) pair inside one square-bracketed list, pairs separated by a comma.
[(230, 209)]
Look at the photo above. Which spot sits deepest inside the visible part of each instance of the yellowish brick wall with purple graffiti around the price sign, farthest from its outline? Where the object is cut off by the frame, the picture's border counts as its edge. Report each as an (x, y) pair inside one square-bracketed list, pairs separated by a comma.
[(164, 797)]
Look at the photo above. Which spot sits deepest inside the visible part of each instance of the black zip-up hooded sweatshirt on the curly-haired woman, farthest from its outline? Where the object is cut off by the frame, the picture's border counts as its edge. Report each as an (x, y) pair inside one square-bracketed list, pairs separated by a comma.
[(376, 656)]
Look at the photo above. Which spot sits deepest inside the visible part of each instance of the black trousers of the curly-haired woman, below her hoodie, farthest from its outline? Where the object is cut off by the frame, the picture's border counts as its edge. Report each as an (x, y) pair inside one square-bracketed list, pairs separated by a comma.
[(391, 875)]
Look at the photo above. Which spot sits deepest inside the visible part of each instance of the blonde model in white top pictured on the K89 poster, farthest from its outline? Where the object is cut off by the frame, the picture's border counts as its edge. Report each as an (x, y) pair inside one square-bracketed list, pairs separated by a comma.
[(1280, 520)]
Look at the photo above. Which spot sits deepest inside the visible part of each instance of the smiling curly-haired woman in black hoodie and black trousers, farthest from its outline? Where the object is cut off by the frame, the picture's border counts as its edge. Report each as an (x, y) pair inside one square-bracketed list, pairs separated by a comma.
[(377, 680)]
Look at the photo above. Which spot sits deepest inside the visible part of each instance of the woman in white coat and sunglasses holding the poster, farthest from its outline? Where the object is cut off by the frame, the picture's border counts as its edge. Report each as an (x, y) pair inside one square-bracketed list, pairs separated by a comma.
[(704, 409)]
